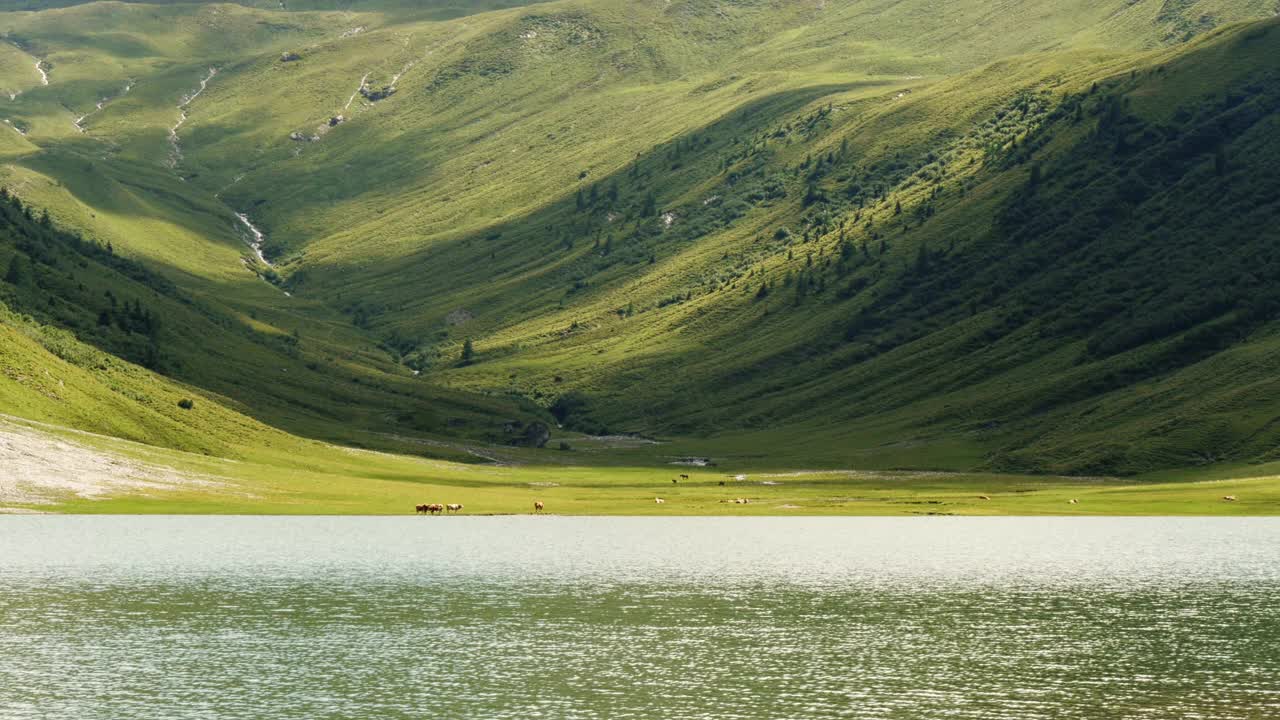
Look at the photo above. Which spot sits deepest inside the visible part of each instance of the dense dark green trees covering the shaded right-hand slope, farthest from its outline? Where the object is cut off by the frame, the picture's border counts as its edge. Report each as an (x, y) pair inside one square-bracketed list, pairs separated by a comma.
[(1159, 236)]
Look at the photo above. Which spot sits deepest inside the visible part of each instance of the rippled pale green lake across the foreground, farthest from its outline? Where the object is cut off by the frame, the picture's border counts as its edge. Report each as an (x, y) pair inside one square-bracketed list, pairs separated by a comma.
[(591, 618)]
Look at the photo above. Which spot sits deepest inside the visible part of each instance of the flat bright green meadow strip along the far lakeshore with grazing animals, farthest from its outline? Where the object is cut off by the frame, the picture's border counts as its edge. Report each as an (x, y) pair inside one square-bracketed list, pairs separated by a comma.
[(291, 477)]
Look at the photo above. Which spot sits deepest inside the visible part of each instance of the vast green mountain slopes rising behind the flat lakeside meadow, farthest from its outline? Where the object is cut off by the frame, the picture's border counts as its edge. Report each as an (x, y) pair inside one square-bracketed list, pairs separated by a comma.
[(796, 234)]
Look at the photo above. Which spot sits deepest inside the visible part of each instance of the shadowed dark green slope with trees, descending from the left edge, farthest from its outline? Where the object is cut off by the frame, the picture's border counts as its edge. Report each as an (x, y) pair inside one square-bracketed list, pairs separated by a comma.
[(296, 376)]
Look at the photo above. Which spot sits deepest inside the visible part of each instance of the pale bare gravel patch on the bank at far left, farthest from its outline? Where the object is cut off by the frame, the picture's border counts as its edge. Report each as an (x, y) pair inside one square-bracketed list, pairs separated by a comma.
[(40, 470)]
